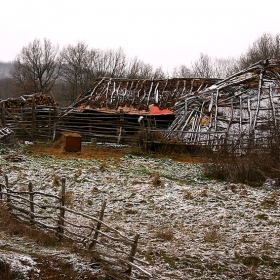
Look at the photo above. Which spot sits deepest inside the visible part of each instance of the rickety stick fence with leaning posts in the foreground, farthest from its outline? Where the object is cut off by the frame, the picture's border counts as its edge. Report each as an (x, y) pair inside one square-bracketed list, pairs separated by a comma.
[(92, 234)]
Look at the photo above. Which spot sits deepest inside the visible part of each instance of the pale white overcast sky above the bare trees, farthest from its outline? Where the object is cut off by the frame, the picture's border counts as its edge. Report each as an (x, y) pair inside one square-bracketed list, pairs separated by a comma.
[(164, 33)]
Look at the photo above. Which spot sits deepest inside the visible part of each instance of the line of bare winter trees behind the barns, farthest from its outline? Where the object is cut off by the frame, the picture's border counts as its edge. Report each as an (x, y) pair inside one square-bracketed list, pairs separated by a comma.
[(42, 67)]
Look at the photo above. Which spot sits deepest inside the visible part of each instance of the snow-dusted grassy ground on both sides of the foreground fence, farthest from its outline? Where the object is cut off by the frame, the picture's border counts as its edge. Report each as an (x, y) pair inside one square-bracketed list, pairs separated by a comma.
[(190, 227)]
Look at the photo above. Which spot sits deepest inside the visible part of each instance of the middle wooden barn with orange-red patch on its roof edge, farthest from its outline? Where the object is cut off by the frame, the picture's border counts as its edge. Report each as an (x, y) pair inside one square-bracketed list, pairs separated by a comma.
[(114, 110)]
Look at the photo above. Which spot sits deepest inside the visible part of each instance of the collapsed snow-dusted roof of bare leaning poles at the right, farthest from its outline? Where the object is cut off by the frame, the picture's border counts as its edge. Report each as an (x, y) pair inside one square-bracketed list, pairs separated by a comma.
[(243, 107)]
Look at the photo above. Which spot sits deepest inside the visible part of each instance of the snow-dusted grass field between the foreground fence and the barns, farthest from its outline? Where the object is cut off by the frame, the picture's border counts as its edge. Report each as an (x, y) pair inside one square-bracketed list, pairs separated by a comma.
[(190, 227)]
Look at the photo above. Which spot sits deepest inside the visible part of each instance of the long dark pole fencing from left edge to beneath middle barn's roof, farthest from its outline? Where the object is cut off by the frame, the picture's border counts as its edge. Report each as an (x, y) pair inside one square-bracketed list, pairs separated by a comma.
[(48, 122)]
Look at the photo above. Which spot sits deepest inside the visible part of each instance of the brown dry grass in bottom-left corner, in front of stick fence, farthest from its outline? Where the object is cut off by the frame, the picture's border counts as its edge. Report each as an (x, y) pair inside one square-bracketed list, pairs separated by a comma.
[(49, 266)]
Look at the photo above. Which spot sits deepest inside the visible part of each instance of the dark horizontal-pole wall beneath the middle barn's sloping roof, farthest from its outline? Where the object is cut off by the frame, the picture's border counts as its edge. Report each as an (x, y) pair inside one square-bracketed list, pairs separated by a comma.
[(112, 128)]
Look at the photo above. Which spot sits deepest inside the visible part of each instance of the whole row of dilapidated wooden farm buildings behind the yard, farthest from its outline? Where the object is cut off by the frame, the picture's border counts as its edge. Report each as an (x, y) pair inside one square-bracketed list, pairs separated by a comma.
[(241, 110)]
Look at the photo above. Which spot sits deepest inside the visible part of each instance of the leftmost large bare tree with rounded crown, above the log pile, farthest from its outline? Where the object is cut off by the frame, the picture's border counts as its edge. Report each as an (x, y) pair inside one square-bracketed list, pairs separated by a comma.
[(37, 67)]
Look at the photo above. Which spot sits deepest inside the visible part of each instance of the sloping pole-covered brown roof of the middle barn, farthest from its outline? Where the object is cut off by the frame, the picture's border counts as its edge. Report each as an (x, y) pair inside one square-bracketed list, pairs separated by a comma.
[(137, 96)]
